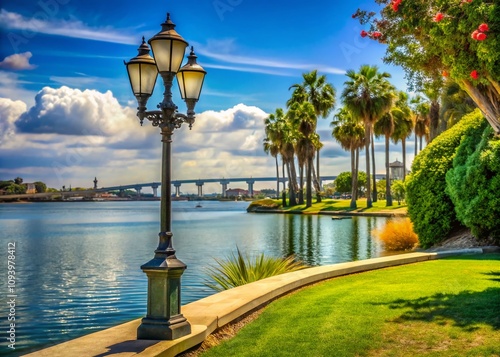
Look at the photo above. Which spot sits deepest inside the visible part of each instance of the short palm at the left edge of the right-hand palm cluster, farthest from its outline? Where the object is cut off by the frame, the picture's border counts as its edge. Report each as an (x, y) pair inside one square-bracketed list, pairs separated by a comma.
[(350, 135)]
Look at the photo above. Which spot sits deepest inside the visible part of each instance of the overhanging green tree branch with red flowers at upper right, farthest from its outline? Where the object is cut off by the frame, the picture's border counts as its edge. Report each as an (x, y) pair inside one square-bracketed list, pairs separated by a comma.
[(436, 38)]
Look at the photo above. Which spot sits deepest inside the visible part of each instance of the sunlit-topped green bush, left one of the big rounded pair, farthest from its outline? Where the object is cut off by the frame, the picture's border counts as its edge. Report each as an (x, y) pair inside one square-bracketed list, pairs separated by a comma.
[(429, 206)]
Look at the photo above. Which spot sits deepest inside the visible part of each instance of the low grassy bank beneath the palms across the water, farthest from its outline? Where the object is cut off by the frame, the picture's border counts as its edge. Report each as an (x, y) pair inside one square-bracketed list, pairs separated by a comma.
[(329, 205)]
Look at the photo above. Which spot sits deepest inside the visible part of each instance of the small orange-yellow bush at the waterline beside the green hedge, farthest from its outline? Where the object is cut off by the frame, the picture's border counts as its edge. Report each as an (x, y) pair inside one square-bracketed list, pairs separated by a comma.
[(397, 235)]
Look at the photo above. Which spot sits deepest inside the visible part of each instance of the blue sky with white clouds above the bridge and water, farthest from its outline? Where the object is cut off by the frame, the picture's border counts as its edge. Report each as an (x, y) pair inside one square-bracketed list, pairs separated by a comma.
[(67, 113)]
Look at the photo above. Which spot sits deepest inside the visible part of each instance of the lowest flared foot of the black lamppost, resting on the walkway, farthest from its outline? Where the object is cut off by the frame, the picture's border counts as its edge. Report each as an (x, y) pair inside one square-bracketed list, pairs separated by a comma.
[(151, 329)]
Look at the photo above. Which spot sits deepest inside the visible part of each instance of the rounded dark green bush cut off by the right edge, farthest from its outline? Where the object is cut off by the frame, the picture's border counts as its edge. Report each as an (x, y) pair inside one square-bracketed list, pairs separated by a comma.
[(474, 184)]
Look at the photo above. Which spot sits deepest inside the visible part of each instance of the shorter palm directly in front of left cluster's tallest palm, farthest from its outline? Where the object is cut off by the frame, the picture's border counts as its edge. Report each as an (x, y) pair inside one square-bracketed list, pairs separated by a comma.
[(303, 116)]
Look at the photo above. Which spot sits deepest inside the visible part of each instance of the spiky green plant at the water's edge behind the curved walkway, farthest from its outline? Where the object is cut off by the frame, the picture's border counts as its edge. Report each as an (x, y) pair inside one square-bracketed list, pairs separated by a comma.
[(238, 269)]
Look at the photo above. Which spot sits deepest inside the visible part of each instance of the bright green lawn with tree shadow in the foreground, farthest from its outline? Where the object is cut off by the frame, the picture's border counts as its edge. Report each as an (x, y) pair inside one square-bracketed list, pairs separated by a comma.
[(447, 307)]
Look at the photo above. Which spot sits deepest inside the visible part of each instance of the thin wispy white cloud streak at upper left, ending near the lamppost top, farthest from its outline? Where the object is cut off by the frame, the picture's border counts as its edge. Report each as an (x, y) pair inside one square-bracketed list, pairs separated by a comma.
[(53, 26)]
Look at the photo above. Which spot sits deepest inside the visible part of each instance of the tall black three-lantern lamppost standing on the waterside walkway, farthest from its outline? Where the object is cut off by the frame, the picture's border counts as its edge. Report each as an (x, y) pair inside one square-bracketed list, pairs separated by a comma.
[(164, 320)]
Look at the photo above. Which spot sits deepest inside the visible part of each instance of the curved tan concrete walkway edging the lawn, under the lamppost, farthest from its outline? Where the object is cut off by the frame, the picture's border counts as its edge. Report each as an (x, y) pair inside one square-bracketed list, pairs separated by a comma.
[(208, 314)]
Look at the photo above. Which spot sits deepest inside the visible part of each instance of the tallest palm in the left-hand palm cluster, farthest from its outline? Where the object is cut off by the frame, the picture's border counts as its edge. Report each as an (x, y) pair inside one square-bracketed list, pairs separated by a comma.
[(321, 94)]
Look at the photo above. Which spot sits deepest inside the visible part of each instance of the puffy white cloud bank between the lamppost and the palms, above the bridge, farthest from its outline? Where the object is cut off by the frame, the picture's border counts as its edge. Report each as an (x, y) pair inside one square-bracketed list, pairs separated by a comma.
[(226, 143)]
